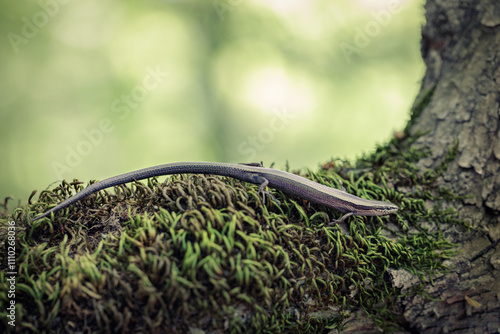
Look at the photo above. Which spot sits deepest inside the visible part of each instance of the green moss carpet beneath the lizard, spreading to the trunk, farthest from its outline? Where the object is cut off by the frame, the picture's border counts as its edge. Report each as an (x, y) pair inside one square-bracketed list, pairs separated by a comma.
[(204, 252)]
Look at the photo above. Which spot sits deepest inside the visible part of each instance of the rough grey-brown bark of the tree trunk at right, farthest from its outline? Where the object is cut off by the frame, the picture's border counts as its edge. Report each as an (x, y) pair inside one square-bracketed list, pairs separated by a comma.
[(460, 45)]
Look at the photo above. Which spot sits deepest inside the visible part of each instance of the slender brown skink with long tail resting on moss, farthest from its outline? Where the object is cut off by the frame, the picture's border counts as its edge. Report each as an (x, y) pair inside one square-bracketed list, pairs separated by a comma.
[(254, 173)]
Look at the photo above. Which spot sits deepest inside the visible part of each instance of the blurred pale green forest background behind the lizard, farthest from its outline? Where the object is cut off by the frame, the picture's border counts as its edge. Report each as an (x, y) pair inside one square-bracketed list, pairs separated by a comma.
[(97, 88)]
